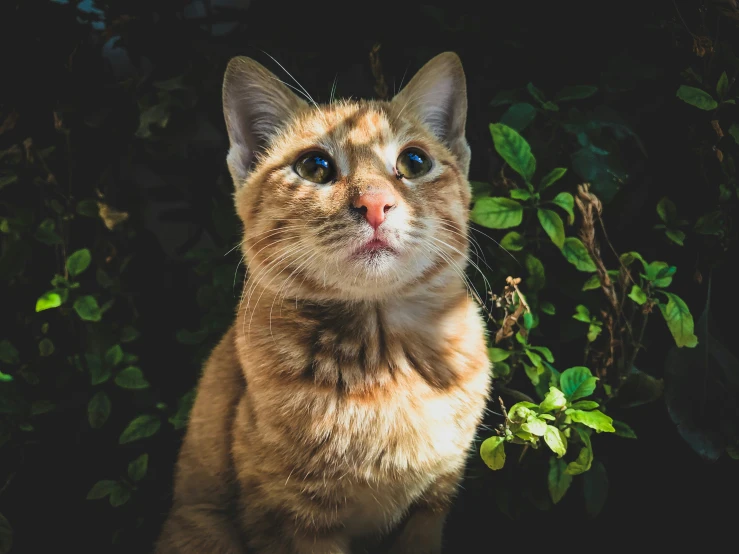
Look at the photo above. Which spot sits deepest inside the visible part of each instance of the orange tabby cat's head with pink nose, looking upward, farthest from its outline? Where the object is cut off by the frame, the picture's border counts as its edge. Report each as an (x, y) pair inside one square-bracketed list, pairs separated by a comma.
[(350, 200)]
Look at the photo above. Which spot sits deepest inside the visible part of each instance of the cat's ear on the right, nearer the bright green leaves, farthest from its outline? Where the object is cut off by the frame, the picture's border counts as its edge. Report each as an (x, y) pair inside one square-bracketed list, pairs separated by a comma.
[(437, 95)]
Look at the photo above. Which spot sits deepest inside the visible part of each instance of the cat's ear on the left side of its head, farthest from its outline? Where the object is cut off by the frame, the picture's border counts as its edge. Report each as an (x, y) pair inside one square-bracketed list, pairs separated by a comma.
[(255, 105)]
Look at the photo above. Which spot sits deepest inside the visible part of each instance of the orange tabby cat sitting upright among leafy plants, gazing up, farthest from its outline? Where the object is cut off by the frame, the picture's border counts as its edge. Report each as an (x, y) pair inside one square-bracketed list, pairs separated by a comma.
[(337, 412)]
